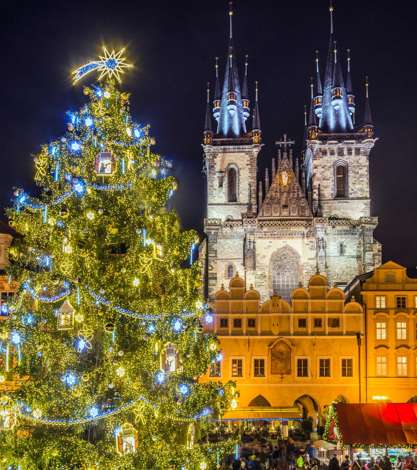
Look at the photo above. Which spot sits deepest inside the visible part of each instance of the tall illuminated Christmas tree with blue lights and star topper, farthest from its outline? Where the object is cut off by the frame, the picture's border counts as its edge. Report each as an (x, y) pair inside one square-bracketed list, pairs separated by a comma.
[(106, 329)]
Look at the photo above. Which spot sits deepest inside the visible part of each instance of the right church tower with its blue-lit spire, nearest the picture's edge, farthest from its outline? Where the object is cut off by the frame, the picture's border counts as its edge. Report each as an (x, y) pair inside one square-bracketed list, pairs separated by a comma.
[(337, 168)]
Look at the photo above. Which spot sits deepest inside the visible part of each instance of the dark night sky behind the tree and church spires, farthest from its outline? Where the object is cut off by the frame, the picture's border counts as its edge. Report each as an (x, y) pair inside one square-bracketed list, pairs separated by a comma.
[(173, 45)]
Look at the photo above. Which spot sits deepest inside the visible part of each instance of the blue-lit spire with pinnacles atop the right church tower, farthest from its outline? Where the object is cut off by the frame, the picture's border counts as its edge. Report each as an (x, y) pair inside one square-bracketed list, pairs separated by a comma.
[(333, 107)]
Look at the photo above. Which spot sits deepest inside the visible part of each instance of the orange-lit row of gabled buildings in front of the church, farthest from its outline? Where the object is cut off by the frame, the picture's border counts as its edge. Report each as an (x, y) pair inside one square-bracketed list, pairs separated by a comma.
[(294, 358)]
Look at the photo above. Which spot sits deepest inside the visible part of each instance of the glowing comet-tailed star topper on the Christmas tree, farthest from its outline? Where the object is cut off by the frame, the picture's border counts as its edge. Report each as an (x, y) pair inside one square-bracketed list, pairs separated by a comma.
[(110, 64)]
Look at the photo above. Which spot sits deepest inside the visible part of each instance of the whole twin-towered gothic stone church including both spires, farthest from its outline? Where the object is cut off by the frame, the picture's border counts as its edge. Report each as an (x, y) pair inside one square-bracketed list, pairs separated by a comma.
[(310, 213)]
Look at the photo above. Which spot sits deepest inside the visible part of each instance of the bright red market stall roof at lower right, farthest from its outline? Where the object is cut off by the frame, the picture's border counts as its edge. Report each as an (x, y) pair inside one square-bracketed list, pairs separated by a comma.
[(378, 424)]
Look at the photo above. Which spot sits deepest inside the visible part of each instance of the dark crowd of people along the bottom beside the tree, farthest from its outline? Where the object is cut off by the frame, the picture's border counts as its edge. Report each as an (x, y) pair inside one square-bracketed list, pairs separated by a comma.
[(286, 456)]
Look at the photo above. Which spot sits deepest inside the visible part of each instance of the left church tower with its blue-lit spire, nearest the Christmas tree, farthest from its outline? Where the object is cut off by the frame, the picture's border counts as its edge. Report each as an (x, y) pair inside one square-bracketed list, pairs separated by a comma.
[(230, 161)]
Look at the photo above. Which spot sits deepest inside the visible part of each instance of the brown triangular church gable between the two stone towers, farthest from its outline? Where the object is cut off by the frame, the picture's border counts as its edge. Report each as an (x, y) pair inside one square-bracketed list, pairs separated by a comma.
[(285, 197)]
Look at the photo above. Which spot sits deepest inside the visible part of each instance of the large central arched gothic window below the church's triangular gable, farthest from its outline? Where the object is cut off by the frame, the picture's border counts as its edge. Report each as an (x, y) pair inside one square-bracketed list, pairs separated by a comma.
[(284, 272)]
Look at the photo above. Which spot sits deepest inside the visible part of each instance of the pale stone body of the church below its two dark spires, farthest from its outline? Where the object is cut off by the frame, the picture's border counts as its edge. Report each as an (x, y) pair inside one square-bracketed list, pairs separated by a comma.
[(302, 225)]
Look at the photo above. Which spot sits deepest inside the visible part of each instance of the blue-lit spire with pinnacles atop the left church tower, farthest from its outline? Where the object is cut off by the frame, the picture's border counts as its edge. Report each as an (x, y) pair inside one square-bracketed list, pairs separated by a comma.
[(231, 104)]
